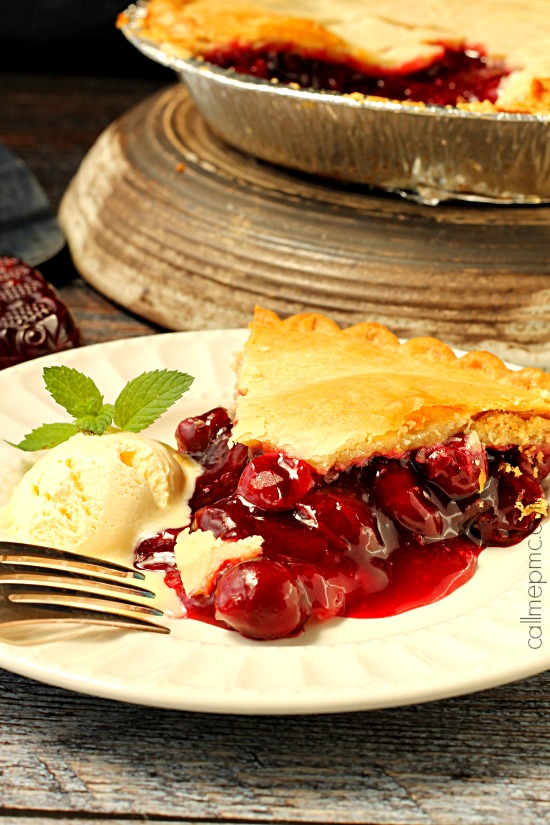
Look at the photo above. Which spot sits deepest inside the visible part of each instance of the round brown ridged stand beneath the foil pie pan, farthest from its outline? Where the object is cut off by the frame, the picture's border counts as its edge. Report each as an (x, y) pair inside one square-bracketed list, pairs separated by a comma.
[(176, 226)]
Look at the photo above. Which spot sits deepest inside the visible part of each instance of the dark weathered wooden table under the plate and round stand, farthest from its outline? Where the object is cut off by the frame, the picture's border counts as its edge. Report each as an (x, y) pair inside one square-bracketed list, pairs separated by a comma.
[(483, 758)]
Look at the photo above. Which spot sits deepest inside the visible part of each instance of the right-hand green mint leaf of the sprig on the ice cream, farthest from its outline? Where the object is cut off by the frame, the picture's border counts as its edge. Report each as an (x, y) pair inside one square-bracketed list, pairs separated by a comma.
[(147, 397)]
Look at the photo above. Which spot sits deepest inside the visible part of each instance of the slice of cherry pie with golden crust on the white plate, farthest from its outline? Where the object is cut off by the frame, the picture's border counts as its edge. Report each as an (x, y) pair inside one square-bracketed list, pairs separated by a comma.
[(360, 477)]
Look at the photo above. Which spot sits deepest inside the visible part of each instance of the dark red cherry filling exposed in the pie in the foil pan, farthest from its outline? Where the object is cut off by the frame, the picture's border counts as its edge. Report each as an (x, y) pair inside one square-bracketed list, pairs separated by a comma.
[(458, 76)]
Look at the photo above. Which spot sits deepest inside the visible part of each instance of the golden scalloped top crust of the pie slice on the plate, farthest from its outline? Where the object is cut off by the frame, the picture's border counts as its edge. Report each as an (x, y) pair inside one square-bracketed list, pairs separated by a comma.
[(335, 397)]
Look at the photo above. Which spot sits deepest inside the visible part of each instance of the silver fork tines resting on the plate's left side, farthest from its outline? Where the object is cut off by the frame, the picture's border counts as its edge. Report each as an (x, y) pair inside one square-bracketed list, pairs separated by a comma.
[(43, 584)]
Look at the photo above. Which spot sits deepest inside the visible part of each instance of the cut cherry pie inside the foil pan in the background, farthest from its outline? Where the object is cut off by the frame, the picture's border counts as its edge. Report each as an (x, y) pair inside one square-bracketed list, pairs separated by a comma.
[(476, 54)]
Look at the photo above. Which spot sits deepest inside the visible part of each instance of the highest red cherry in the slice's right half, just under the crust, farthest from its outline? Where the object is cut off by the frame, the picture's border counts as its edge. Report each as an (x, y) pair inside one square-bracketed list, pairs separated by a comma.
[(458, 467)]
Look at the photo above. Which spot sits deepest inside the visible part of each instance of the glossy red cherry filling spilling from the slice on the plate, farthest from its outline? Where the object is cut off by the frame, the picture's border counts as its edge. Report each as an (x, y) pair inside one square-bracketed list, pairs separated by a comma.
[(372, 542)]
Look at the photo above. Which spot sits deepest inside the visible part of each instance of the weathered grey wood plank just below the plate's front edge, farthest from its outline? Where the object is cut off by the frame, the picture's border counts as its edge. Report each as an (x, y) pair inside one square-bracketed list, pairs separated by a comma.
[(484, 758)]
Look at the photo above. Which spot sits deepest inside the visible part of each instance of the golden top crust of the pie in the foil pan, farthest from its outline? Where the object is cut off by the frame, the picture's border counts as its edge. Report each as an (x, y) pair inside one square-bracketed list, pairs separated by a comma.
[(388, 35)]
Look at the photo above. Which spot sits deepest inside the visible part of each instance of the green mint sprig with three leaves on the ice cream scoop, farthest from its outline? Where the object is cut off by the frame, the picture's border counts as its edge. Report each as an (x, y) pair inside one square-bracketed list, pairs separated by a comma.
[(141, 402)]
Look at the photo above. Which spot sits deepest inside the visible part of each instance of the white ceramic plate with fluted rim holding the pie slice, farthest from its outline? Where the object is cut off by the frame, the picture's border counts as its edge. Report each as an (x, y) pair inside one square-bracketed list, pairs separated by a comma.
[(476, 638)]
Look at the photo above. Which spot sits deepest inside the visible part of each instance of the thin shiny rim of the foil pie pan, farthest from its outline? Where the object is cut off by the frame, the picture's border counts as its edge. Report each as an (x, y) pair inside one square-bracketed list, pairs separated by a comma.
[(228, 77)]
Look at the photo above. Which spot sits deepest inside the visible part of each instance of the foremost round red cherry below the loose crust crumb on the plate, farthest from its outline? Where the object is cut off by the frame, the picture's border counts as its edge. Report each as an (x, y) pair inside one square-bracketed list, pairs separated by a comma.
[(261, 599)]
